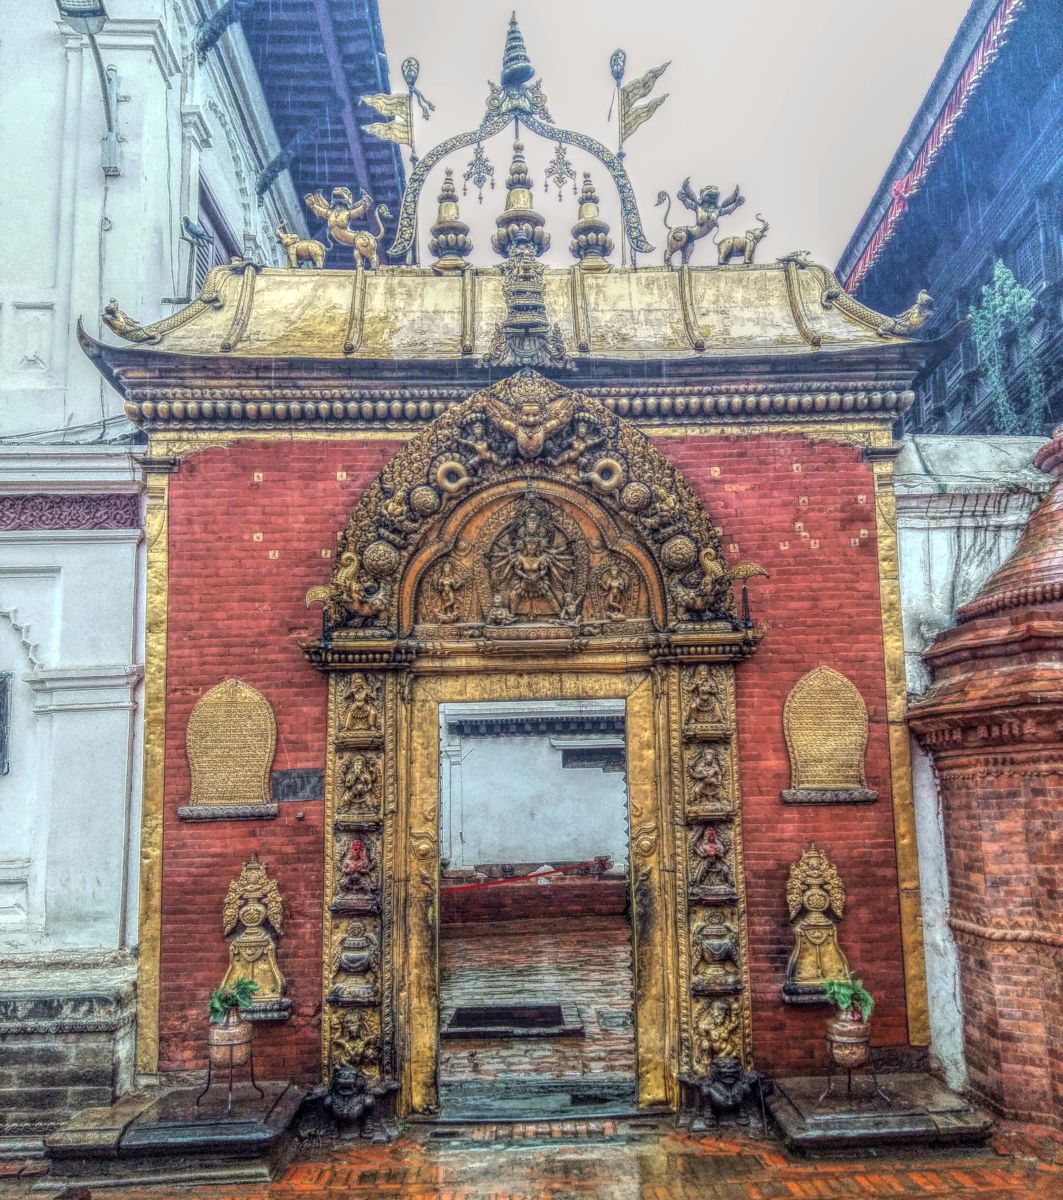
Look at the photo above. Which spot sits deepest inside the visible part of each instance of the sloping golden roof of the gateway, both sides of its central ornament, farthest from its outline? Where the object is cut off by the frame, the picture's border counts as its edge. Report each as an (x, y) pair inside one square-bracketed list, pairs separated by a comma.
[(415, 315)]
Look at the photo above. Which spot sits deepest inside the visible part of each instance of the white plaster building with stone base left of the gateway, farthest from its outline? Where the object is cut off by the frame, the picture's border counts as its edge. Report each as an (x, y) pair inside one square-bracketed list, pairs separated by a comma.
[(194, 135)]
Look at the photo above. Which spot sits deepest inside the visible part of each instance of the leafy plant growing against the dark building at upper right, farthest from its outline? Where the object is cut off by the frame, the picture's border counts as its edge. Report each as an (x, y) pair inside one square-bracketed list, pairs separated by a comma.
[(1006, 311)]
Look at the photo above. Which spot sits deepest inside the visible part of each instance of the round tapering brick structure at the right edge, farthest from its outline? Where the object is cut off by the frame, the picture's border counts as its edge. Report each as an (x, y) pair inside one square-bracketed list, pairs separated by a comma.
[(993, 722)]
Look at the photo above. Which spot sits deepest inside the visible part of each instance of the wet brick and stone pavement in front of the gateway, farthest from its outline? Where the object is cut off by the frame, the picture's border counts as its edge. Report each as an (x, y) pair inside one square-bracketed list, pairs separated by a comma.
[(618, 1161)]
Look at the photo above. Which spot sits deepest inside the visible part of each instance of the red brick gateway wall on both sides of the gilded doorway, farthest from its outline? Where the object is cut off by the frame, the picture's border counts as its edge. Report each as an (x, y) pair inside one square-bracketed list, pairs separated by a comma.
[(235, 610)]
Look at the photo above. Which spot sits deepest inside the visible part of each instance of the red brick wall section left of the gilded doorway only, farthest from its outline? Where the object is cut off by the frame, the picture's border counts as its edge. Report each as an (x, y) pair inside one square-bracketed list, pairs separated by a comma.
[(235, 610)]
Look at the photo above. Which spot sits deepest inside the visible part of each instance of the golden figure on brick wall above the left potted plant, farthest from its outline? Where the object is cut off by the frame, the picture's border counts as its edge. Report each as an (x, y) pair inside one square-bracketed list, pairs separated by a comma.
[(255, 909)]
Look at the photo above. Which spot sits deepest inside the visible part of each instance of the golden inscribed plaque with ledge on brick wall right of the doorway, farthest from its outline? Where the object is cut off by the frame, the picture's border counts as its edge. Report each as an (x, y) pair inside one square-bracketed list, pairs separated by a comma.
[(826, 723)]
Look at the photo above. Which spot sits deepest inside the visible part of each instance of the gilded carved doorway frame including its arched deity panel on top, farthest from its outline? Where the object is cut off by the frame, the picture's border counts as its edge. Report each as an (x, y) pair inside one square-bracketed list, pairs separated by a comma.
[(424, 609)]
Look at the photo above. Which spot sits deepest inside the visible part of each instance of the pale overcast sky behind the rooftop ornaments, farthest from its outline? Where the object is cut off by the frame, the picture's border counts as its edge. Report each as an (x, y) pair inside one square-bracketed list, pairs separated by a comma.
[(801, 103)]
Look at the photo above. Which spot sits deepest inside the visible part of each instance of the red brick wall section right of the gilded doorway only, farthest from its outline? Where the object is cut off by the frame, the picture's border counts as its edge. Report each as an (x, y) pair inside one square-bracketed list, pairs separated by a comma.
[(804, 511)]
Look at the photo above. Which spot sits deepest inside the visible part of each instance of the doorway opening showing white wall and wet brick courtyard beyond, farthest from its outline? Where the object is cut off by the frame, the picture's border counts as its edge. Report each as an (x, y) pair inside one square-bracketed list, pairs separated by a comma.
[(537, 989)]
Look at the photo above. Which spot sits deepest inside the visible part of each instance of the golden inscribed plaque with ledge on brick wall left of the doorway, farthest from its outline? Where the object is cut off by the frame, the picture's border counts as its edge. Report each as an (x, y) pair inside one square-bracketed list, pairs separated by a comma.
[(231, 740)]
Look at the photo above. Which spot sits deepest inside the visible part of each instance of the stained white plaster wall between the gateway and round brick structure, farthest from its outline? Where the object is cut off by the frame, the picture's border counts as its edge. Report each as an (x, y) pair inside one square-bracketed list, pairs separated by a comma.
[(963, 502)]
